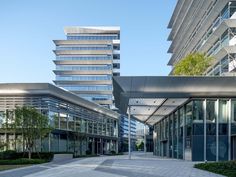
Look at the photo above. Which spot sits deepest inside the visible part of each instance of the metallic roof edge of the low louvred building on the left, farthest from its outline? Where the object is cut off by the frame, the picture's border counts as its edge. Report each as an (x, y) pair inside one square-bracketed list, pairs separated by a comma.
[(22, 89)]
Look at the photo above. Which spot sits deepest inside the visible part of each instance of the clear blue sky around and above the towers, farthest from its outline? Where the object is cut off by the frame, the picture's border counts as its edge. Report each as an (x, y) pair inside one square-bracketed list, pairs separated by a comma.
[(28, 28)]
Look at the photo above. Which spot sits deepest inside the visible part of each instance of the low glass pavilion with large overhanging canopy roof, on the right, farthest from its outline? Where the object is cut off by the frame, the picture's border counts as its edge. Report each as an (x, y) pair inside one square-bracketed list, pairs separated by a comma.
[(194, 118)]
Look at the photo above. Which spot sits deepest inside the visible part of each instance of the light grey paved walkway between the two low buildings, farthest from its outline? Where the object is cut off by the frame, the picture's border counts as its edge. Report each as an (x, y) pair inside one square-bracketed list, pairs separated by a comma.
[(141, 165)]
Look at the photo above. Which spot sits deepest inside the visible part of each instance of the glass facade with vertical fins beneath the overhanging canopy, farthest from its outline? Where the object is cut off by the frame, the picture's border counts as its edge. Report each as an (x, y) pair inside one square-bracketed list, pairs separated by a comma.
[(200, 130)]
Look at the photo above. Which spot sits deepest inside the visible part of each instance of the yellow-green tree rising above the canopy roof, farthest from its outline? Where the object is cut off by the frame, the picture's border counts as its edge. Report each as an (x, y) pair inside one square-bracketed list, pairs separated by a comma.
[(194, 64)]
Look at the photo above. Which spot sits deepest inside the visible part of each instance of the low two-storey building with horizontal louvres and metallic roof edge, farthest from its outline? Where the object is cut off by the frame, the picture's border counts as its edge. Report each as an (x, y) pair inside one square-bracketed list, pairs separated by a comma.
[(78, 125)]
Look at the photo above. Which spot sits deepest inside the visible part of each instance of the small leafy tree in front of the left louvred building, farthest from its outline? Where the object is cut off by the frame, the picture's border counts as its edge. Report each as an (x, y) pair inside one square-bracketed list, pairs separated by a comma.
[(32, 124)]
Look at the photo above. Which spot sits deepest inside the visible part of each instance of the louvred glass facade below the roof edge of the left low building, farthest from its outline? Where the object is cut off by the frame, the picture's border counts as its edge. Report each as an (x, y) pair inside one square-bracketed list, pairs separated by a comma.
[(76, 128)]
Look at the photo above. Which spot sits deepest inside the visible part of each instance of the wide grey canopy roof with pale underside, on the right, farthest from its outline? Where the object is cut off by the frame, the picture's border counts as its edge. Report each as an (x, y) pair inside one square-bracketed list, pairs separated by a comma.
[(151, 98)]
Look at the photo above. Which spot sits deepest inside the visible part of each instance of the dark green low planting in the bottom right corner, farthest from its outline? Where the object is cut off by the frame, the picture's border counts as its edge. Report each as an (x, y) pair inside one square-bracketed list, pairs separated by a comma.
[(224, 168)]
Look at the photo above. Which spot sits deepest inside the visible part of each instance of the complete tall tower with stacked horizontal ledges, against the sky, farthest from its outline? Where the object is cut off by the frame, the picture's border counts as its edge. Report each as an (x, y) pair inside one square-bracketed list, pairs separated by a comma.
[(87, 60)]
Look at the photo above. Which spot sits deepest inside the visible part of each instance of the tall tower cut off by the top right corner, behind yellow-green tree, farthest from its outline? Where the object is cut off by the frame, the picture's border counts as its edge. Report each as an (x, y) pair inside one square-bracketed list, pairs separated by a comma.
[(206, 26)]
